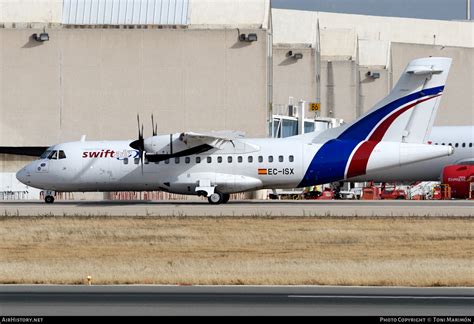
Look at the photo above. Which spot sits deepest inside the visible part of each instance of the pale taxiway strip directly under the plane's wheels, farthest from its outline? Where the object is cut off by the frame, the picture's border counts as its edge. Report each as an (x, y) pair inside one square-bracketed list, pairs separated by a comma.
[(241, 208)]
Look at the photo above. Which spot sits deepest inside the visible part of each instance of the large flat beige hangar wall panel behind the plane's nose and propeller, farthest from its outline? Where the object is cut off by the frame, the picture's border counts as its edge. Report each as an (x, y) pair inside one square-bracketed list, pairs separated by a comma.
[(94, 81)]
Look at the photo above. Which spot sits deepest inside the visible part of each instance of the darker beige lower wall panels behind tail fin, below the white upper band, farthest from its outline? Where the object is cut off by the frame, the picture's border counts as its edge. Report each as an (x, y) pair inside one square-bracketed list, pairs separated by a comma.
[(347, 90)]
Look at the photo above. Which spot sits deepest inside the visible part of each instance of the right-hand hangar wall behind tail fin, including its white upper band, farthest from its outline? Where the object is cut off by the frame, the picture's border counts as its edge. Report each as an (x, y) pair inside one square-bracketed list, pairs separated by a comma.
[(350, 46)]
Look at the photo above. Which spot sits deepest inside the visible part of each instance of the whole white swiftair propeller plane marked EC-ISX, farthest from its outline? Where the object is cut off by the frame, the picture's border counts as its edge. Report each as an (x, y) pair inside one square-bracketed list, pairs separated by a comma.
[(392, 134)]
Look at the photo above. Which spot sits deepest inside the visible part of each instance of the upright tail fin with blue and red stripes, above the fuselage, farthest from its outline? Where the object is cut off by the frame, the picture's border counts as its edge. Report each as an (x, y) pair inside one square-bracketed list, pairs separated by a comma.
[(407, 114)]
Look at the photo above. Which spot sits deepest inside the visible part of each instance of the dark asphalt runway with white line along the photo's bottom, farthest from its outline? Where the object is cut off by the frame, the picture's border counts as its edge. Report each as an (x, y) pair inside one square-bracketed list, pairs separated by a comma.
[(233, 300)]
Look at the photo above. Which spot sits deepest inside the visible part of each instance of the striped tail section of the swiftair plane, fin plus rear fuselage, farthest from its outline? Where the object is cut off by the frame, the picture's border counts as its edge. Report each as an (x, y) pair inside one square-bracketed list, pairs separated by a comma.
[(380, 138)]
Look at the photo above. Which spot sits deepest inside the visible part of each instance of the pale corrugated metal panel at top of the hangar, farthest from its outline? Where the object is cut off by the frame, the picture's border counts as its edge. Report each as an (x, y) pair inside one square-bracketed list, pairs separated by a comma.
[(125, 12)]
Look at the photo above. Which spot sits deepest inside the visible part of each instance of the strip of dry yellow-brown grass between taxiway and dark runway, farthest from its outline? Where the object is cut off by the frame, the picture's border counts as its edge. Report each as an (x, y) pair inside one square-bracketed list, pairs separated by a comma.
[(408, 251)]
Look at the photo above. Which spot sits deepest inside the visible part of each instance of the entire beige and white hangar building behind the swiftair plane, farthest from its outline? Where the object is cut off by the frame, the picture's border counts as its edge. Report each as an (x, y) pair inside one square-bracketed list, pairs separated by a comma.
[(202, 65)]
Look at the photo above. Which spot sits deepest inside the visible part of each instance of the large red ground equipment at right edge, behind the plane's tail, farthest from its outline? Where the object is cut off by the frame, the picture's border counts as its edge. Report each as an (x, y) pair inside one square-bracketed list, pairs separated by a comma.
[(459, 179)]
